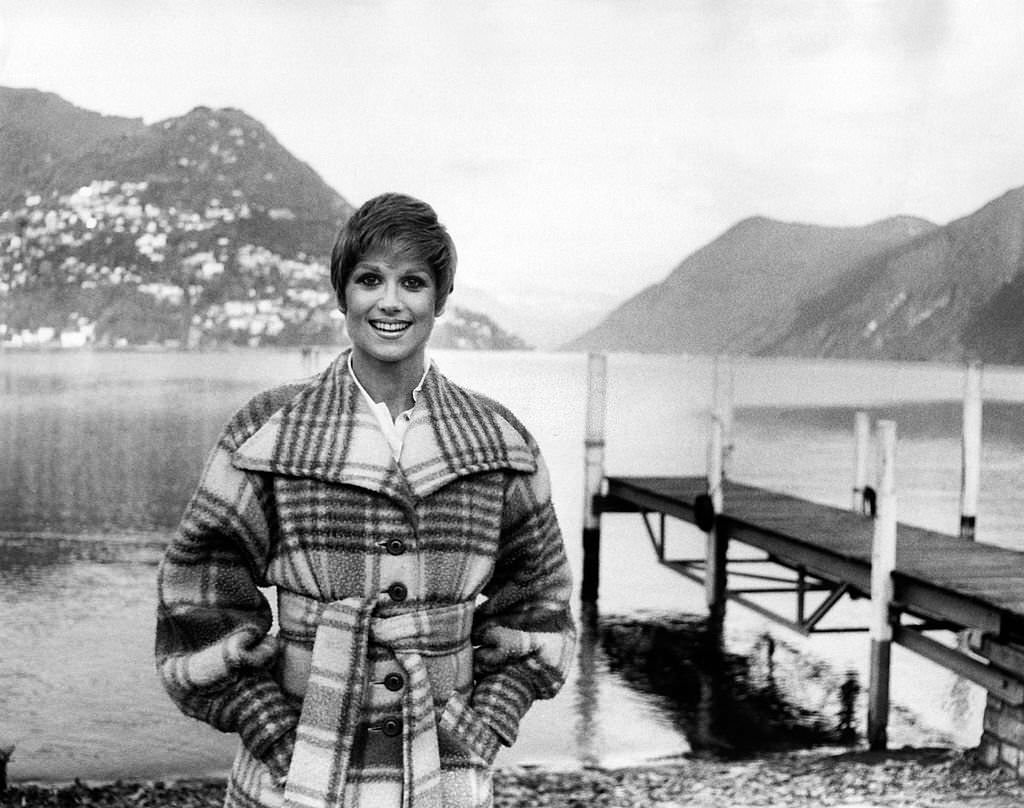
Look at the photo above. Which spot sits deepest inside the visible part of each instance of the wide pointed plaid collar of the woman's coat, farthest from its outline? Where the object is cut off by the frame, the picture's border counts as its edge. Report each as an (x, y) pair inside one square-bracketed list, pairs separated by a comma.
[(328, 433)]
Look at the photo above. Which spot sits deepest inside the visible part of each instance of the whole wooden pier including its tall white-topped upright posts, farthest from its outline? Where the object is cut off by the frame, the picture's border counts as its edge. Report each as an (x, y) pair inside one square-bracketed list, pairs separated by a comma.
[(794, 562)]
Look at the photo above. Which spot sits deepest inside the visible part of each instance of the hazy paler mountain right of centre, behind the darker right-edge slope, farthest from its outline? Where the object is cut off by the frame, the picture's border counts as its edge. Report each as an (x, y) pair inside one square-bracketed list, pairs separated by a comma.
[(745, 291)]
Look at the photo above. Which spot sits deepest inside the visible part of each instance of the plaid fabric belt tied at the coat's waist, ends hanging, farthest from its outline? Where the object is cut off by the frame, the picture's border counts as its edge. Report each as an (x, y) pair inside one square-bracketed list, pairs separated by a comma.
[(335, 692)]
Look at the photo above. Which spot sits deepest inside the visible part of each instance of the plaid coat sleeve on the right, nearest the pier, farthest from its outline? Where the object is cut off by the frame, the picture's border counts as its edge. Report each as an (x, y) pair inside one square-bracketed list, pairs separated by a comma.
[(525, 630)]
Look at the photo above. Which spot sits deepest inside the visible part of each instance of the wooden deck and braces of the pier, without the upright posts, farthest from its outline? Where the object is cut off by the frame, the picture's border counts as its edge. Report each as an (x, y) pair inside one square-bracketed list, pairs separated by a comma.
[(941, 582)]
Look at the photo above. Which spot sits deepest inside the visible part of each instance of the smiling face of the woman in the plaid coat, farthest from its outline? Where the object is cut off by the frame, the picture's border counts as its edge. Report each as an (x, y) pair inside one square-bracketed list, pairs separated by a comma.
[(390, 310)]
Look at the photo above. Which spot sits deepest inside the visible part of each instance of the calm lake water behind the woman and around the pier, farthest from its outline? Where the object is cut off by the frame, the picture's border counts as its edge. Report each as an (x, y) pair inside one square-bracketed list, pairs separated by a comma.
[(99, 453)]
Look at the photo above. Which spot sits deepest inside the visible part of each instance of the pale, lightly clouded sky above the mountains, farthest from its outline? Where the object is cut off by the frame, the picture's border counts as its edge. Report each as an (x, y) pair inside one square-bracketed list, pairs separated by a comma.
[(578, 150)]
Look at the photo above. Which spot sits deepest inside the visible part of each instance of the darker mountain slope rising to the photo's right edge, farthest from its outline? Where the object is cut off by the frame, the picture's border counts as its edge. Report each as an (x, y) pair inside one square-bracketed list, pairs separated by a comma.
[(955, 293)]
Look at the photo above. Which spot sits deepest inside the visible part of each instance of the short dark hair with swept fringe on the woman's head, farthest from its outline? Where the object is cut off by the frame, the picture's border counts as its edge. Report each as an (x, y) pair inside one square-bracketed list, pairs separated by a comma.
[(401, 225)]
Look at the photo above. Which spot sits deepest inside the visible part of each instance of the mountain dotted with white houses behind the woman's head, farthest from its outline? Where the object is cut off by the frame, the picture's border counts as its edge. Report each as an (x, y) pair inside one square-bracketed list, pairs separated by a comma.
[(201, 230)]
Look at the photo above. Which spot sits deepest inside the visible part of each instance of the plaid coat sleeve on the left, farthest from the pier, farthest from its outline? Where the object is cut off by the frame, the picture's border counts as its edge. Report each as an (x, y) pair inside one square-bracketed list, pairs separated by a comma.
[(212, 647)]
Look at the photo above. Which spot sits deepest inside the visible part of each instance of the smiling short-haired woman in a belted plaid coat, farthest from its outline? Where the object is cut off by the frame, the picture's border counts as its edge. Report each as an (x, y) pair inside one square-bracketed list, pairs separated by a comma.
[(407, 526)]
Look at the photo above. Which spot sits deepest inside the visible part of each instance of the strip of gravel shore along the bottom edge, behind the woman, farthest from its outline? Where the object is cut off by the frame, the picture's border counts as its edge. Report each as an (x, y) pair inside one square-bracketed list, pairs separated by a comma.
[(908, 779)]
